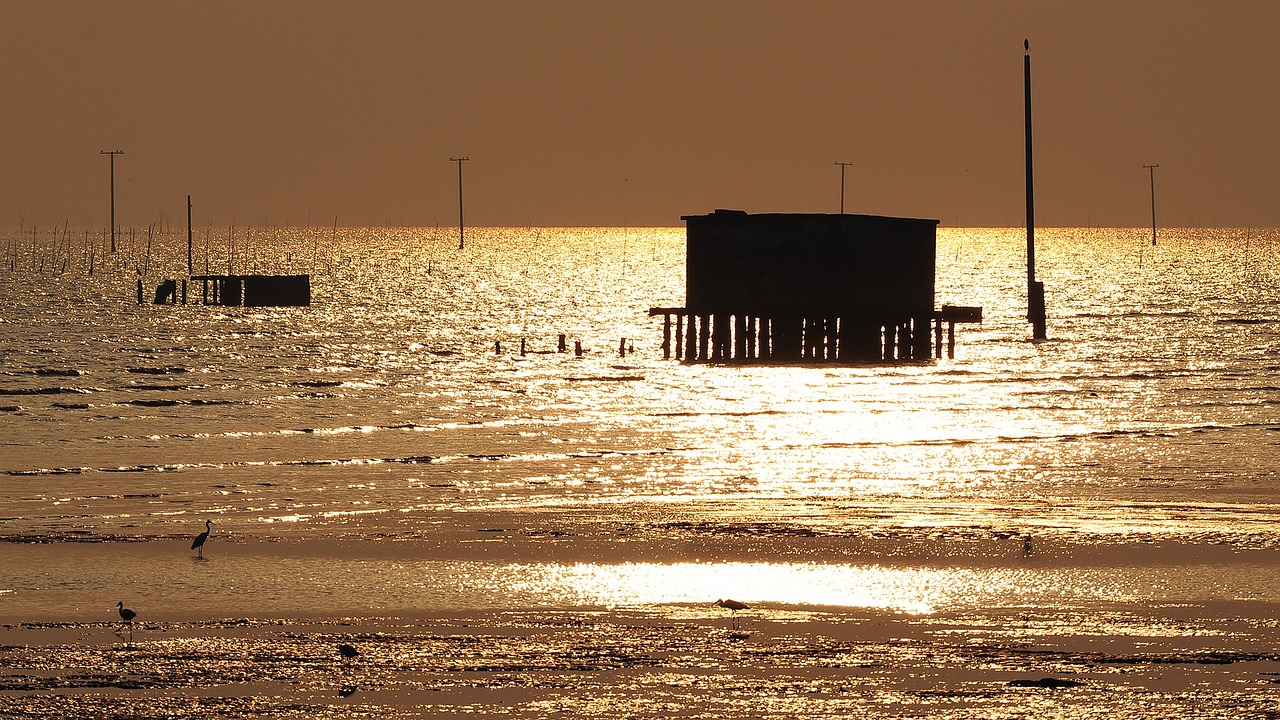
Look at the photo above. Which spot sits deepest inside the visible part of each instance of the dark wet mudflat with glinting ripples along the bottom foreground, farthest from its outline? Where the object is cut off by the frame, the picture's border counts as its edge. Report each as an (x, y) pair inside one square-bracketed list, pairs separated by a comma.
[(673, 662)]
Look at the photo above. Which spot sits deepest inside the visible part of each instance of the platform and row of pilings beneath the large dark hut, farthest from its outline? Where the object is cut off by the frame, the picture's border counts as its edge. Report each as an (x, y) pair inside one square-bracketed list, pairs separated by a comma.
[(743, 338)]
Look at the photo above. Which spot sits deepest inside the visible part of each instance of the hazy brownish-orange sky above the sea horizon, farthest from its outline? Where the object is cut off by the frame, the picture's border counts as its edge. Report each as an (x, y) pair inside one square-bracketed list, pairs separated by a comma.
[(637, 112)]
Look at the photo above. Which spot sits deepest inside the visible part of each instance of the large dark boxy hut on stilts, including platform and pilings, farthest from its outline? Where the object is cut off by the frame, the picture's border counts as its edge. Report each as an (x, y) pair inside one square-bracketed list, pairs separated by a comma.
[(790, 288)]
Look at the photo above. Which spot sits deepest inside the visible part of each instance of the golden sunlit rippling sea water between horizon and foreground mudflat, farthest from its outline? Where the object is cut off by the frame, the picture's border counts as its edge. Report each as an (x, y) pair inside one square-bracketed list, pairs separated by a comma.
[(378, 452)]
